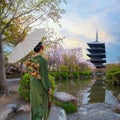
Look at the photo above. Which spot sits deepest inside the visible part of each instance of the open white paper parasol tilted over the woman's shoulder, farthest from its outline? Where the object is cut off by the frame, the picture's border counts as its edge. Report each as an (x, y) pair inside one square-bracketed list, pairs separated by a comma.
[(26, 46)]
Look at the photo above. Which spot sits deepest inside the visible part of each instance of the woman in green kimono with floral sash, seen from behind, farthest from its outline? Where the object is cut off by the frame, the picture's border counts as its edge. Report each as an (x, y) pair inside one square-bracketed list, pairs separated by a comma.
[(39, 86)]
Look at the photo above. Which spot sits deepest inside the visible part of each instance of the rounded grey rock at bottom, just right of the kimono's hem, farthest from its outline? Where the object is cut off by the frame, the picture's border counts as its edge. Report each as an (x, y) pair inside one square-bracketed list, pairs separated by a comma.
[(57, 113)]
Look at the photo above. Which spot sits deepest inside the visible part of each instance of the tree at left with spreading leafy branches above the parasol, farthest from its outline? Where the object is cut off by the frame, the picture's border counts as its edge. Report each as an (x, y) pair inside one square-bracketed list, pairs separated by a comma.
[(23, 14)]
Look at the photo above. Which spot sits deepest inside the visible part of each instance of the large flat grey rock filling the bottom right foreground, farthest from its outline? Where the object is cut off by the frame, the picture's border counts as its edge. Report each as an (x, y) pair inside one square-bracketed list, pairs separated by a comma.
[(96, 111)]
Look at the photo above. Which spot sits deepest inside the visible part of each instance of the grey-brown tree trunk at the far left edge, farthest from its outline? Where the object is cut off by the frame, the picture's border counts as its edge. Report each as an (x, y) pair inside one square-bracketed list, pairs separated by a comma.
[(3, 82)]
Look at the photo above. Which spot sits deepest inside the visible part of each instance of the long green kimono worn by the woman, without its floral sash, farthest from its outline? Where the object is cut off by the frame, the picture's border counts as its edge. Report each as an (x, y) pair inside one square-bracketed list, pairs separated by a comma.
[(39, 96)]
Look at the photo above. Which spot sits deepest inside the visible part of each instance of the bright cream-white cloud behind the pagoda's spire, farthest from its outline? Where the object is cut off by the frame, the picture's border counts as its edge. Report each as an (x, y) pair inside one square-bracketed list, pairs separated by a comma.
[(86, 27)]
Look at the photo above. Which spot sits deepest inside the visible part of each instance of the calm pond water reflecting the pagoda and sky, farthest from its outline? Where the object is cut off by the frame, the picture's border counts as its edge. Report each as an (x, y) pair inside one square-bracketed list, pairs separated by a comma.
[(99, 92)]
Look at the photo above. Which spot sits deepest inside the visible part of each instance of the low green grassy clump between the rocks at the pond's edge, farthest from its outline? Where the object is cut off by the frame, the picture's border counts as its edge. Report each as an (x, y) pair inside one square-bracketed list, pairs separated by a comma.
[(69, 107)]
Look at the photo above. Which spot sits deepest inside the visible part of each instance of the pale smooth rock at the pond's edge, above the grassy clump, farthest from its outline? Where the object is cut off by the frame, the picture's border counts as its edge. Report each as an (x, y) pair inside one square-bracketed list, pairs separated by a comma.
[(65, 97)]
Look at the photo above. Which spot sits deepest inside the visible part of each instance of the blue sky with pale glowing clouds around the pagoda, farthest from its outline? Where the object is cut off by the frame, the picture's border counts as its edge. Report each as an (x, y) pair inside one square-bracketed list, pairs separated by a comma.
[(81, 20)]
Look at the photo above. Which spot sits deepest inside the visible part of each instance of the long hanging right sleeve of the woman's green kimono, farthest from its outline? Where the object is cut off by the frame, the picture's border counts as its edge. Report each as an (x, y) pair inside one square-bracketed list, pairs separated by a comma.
[(44, 74)]
